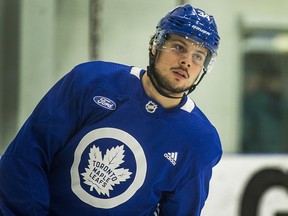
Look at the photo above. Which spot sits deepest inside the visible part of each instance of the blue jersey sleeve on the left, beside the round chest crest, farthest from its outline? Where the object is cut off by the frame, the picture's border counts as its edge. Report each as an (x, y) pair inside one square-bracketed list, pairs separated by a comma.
[(26, 162)]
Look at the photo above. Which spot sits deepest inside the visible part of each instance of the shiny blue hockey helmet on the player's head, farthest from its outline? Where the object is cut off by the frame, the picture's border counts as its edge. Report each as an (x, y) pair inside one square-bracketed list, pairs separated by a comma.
[(194, 24)]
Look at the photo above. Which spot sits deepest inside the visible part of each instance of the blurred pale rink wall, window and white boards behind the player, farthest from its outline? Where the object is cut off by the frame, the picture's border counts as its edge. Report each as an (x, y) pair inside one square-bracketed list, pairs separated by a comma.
[(245, 96)]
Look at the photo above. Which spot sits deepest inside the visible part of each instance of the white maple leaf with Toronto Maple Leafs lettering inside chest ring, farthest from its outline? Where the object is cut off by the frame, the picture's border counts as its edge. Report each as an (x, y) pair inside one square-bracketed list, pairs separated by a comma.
[(103, 174)]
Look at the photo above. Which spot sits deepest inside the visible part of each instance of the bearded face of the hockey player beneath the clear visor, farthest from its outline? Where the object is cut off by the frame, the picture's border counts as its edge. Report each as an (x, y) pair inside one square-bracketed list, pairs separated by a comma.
[(178, 63)]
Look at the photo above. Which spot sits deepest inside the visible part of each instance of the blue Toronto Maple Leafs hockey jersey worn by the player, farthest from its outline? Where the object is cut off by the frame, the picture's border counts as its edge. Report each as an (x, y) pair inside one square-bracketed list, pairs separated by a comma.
[(96, 144)]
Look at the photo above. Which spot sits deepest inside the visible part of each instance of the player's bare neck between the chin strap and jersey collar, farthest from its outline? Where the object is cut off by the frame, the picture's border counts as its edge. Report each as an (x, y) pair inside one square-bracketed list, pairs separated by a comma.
[(154, 94)]
